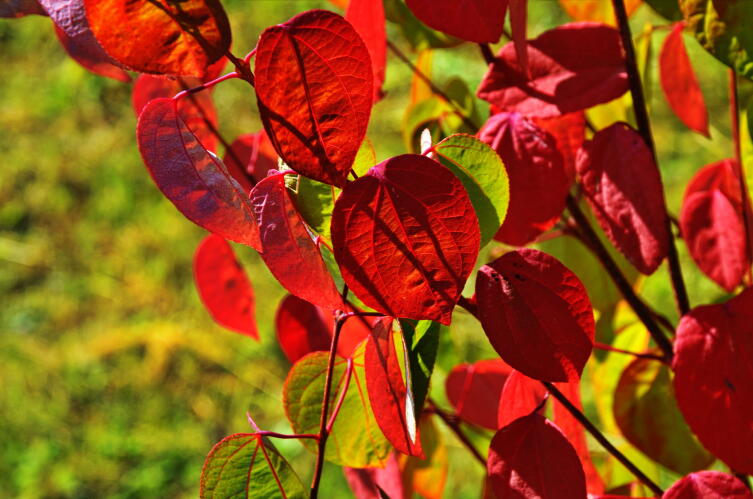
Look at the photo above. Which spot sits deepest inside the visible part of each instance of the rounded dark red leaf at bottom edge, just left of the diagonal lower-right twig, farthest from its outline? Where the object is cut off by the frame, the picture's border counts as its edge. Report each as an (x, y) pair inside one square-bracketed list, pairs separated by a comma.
[(531, 458)]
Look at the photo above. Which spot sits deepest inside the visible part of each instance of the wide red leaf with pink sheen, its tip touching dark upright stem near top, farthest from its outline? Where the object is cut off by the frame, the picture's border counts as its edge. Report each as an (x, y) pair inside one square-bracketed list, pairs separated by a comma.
[(572, 67)]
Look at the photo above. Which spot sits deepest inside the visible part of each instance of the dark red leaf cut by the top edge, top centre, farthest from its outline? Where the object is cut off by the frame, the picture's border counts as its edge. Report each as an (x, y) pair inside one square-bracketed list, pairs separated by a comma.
[(480, 21)]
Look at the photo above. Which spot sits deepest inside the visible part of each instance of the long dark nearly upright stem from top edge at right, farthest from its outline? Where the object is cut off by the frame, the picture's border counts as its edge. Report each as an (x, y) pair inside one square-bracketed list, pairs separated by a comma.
[(644, 127)]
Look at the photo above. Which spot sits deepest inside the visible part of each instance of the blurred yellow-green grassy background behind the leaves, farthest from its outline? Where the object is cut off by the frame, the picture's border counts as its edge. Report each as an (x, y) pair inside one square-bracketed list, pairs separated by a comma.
[(114, 381)]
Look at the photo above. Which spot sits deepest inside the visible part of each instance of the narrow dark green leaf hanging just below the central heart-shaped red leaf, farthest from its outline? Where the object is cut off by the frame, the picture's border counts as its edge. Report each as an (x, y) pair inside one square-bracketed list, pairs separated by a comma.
[(422, 341)]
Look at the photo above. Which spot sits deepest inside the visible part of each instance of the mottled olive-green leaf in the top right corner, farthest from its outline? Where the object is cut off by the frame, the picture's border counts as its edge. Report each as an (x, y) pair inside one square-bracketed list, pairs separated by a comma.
[(723, 27)]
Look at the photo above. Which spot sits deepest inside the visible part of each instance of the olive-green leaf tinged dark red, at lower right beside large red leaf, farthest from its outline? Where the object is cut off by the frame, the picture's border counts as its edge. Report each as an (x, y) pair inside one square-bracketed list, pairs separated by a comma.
[(647, 414)]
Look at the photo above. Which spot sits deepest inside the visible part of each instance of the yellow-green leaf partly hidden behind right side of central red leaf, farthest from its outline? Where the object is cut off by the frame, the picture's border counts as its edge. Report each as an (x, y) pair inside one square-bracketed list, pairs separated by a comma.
[(484, 177)]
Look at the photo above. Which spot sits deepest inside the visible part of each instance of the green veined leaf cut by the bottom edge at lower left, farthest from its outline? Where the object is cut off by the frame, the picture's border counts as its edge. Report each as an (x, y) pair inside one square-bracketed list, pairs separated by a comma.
[(248, 465)]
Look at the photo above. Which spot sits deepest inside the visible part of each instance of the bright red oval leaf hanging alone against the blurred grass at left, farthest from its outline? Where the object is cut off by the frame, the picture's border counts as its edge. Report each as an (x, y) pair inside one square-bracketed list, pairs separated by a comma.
[(224, 287)]
